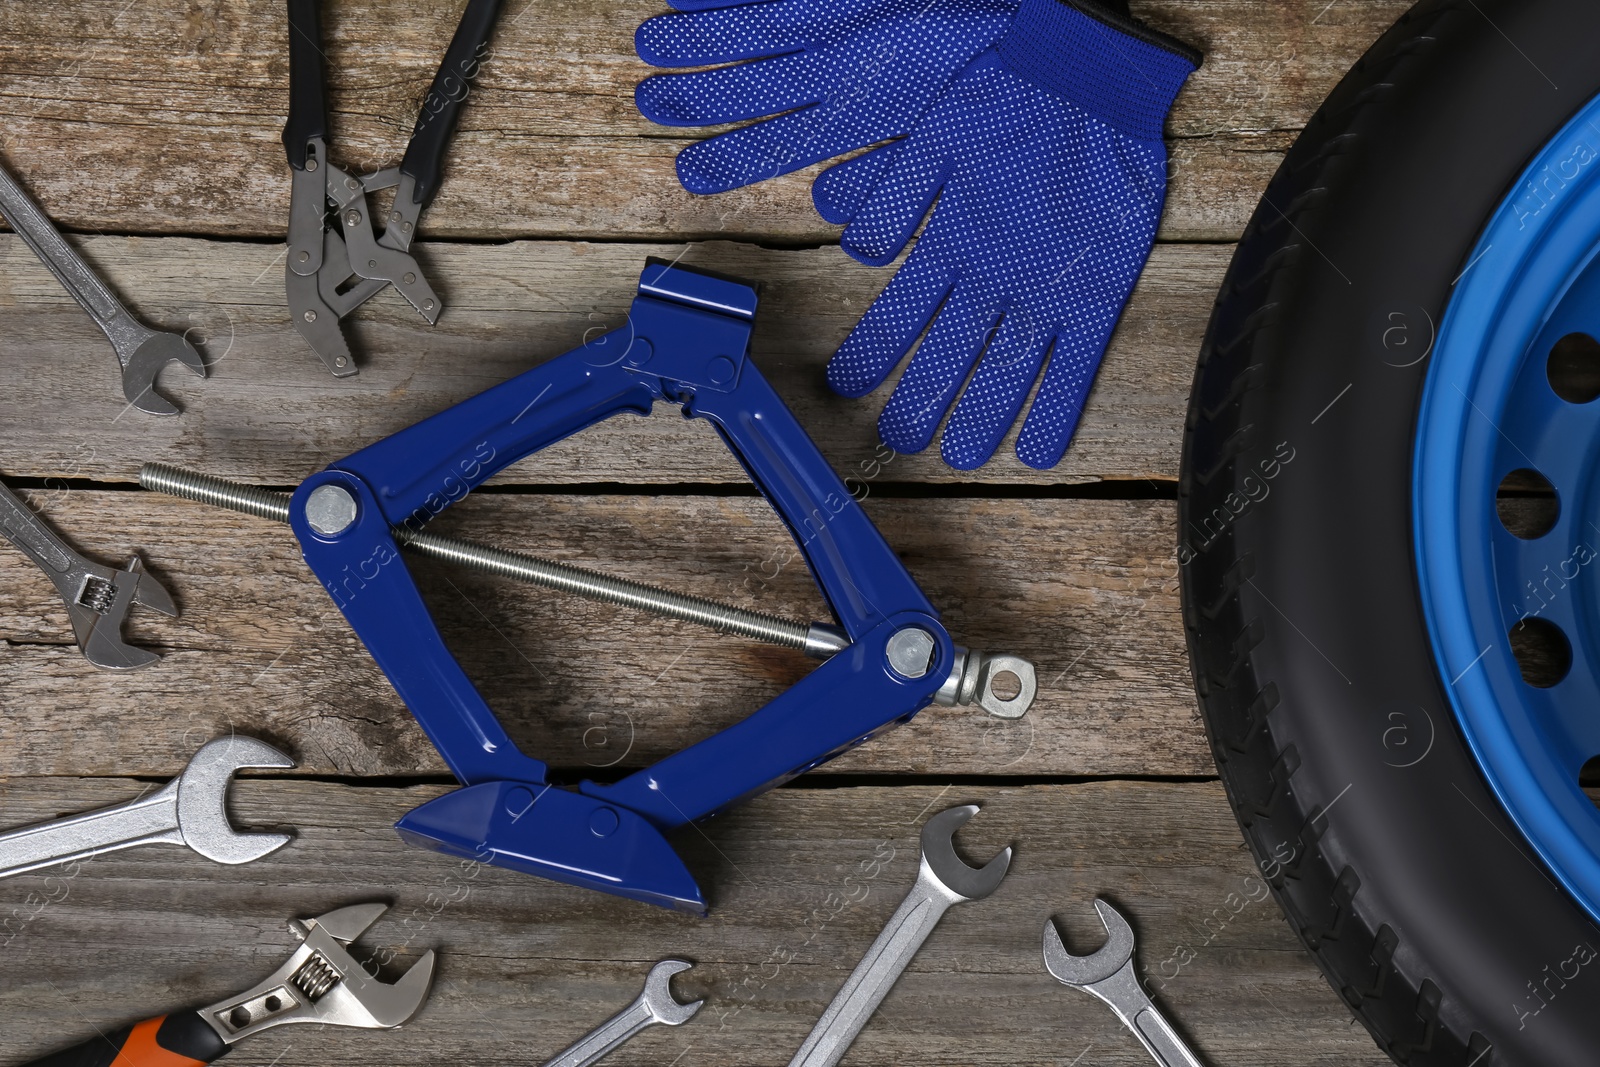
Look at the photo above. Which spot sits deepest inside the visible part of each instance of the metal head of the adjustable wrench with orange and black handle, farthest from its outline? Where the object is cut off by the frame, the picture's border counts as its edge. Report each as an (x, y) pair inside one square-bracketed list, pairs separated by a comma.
[(322, 983)]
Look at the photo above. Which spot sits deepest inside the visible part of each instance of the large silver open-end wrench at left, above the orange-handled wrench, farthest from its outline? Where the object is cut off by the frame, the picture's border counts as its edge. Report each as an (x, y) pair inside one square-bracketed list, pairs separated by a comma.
[(190, 810)]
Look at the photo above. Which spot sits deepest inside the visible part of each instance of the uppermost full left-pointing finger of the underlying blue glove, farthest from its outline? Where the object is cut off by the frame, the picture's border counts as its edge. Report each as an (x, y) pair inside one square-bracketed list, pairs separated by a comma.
[(713, 33)]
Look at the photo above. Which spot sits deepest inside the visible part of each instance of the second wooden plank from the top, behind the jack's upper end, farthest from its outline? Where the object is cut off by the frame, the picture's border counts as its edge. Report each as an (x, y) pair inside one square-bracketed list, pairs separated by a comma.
[(271, 414)]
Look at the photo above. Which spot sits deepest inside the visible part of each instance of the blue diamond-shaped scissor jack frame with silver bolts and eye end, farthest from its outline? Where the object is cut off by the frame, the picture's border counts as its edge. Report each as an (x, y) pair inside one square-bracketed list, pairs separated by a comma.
[(686, 342)]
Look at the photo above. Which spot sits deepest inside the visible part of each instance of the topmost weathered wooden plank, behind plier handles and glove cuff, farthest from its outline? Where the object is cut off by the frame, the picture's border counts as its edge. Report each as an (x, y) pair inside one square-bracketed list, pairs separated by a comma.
[(175, 122)]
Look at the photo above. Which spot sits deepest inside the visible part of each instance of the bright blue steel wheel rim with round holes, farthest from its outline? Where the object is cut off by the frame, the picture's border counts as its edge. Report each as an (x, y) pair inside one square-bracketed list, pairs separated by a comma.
[(1489, 409)]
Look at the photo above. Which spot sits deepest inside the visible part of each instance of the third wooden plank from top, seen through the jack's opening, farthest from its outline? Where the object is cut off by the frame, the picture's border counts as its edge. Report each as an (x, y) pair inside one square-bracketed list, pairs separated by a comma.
[(1086, 589)]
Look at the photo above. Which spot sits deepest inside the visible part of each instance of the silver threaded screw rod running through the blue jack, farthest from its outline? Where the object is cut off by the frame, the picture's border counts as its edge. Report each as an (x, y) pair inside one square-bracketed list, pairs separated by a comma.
[(814, 639)]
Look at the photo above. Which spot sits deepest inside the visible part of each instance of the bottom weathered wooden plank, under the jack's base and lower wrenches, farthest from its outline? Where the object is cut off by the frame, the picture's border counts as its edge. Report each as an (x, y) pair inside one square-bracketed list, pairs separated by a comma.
[(799, 882)]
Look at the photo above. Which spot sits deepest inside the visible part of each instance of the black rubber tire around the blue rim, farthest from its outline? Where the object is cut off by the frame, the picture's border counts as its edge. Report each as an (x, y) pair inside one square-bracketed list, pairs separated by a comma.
[(1418, 898)]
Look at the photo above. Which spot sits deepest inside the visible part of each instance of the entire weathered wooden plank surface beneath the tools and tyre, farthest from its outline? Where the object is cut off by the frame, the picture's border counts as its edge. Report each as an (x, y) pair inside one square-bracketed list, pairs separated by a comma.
[(151, 132)]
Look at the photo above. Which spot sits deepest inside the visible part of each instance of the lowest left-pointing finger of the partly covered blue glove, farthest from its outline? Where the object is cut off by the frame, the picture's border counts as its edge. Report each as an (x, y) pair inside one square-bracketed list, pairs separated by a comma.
[(767, 150)]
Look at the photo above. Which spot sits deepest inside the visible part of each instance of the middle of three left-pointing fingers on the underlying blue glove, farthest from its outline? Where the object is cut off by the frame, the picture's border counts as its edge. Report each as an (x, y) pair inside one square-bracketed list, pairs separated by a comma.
[(751, 90)]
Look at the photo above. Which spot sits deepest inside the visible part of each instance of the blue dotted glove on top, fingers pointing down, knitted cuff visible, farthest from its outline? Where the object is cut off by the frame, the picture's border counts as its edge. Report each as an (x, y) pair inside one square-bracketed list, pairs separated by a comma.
[(1050, 175)]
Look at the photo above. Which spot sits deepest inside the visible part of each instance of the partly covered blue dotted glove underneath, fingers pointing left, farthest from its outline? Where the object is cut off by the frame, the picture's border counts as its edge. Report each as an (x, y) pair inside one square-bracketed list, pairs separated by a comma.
[(838, 74)]
